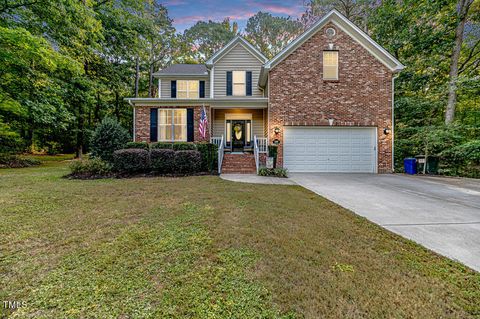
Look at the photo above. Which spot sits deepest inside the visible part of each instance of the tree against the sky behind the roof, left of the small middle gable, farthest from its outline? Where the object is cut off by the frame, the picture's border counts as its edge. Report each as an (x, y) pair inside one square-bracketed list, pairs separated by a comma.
[(205, 38)]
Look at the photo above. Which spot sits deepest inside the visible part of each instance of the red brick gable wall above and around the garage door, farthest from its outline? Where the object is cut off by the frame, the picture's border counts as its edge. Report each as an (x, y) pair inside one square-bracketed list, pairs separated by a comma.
[(360, 97)]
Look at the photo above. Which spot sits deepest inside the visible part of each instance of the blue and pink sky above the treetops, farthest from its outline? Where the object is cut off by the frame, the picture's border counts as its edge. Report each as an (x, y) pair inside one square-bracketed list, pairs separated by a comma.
[(186, 12)]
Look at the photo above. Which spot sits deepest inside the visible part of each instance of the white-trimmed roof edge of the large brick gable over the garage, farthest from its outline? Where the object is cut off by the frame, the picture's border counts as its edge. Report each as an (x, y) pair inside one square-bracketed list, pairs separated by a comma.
[(348, 27)]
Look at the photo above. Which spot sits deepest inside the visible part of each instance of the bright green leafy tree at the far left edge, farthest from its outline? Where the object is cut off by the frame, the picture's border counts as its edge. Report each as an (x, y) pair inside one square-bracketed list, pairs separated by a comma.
[(32, 84)]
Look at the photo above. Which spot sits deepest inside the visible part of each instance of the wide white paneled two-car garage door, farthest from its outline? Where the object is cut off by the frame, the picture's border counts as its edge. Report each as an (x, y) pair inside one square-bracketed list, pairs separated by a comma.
[(330, 149)]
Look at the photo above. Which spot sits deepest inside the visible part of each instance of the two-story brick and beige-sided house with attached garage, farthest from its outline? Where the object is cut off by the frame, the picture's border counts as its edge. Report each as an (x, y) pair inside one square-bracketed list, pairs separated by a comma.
[(326, 100)]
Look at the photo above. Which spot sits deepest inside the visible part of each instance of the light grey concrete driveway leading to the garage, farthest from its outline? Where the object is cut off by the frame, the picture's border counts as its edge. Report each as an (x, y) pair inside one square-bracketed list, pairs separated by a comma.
[(442, 214)]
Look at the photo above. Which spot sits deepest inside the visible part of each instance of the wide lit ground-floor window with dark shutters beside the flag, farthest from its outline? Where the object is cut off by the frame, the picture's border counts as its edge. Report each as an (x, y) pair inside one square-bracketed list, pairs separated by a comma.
[(172, 125)]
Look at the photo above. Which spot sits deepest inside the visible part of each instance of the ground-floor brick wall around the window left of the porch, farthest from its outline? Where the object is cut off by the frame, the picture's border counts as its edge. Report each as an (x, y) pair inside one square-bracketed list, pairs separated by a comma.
[(142, 121)]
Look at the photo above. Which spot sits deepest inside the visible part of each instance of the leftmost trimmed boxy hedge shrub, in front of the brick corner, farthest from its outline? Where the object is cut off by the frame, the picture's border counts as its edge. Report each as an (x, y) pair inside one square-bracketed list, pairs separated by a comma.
[(130, 161)]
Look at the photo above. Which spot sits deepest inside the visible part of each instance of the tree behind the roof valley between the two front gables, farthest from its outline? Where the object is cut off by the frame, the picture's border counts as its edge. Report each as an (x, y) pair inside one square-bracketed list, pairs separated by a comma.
[(271, 34)]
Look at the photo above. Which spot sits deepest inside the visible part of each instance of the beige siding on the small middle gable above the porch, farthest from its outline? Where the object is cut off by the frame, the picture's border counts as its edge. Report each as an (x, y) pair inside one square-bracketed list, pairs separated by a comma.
[(237, 59)]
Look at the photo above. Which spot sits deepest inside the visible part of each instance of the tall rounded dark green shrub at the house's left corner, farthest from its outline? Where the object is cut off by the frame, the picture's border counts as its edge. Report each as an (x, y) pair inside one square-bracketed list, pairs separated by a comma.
[(108, 137)]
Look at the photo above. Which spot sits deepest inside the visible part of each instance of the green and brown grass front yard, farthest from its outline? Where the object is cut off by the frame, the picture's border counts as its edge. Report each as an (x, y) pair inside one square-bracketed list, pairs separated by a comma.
[(202, 247)]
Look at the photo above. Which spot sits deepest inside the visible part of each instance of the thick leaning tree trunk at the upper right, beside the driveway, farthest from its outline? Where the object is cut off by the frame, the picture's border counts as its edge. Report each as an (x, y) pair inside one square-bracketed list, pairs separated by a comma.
[(462, 11)]
